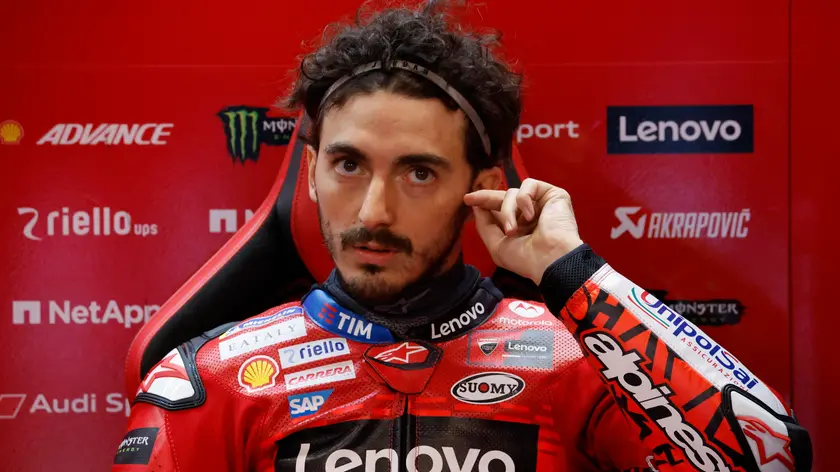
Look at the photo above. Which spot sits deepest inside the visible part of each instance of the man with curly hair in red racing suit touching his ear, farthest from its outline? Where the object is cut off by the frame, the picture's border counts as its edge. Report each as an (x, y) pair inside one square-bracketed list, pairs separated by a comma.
[(406, 359)]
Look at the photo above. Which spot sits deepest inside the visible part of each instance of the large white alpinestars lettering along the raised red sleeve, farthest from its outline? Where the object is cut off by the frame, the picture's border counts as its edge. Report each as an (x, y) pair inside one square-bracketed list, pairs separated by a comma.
[(622, 368)]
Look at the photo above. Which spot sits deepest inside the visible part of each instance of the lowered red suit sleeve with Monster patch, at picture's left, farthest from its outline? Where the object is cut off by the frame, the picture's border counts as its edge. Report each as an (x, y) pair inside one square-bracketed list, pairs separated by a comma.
[(183, 422)]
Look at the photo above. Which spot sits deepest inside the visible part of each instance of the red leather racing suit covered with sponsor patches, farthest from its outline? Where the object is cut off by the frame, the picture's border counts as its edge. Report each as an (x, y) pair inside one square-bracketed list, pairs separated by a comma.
[(602, 377)]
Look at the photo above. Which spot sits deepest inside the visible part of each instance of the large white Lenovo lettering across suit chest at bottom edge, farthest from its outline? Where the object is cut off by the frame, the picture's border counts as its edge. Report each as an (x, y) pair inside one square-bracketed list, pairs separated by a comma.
[(446, 462)]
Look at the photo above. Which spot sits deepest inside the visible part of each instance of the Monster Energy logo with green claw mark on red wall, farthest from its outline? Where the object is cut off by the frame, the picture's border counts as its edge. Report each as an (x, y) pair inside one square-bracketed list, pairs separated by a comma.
[(247, 128)]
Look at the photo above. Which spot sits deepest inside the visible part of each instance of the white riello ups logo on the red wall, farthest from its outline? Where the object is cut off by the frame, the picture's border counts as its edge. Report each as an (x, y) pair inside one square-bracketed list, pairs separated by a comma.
[(98, 221)]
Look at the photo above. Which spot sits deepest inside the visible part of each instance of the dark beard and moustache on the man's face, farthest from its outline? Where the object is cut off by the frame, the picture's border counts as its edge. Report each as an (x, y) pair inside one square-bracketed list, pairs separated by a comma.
[(372, 286)]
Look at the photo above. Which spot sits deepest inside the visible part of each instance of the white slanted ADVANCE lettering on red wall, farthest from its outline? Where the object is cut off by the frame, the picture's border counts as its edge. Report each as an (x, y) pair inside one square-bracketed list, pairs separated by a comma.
[(110, 134)]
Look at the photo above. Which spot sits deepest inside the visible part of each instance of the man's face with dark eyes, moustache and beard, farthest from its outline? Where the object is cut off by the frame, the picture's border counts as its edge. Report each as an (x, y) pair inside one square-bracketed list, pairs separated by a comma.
[(389, 179)]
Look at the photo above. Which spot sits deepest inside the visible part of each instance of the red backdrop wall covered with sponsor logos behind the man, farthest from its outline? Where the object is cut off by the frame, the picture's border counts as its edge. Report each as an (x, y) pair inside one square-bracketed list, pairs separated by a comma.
[(135, 139)]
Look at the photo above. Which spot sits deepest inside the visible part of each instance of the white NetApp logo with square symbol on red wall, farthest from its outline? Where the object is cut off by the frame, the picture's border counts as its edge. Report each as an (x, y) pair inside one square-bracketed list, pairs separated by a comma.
[(29, 311)]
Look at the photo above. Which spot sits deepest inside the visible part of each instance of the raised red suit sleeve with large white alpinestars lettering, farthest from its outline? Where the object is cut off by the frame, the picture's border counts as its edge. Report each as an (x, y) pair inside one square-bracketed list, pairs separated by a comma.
[(691, 402)]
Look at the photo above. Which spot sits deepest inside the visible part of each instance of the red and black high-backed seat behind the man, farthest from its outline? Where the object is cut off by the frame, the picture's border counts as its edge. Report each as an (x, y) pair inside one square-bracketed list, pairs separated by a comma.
[(273, 259)]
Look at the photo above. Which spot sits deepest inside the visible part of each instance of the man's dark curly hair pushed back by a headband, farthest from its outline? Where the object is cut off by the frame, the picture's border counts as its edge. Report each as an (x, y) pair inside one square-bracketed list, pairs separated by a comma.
[(429, 36)]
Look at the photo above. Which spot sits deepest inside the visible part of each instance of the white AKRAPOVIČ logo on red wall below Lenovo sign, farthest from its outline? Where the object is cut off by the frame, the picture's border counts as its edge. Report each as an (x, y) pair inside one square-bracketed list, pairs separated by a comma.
[(681, 225)]
